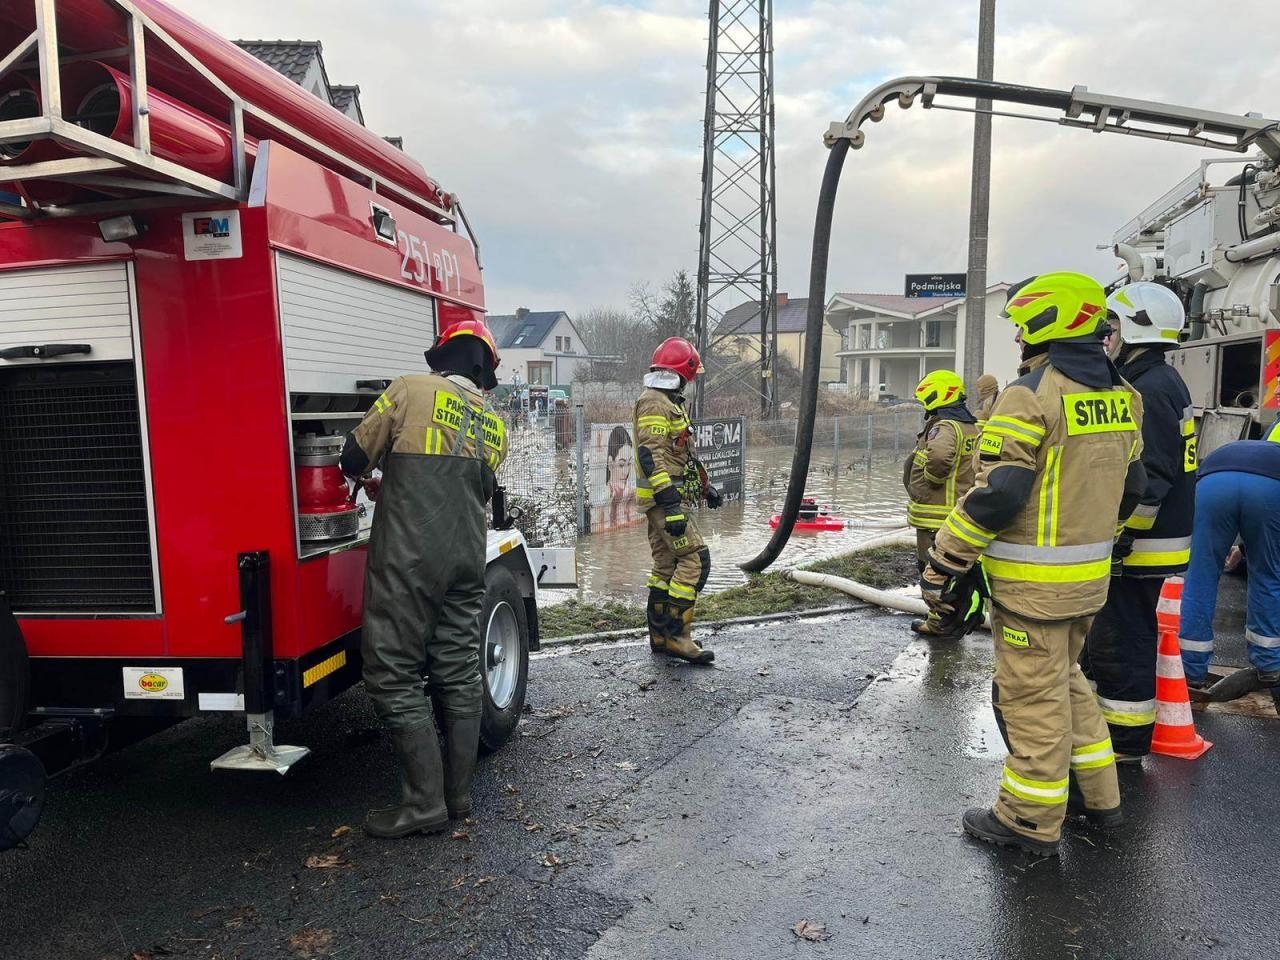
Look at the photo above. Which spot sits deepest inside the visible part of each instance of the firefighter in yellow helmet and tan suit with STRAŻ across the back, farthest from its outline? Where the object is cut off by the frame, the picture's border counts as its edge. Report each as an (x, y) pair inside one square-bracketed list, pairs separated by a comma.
[(1059, 472)]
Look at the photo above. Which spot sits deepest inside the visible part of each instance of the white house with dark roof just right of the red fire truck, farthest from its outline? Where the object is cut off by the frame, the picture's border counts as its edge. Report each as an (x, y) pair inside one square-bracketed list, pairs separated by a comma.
[(538, 348)]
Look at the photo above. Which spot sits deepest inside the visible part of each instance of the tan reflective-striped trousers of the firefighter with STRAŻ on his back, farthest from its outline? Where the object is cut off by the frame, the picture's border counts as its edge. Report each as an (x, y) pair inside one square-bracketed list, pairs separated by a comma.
[(1052, 723)]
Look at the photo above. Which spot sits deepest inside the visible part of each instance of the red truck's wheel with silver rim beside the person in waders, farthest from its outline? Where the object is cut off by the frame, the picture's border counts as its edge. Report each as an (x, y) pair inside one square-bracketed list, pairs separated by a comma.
[(504, 657)]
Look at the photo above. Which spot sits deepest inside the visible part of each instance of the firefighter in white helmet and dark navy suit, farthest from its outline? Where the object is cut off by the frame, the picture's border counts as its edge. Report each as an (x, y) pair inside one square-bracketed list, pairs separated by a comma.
[(1156, 542)]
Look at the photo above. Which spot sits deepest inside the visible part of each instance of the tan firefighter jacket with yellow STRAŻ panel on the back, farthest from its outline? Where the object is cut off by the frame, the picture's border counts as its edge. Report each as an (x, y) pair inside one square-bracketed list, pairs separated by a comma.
[(1059, 470)]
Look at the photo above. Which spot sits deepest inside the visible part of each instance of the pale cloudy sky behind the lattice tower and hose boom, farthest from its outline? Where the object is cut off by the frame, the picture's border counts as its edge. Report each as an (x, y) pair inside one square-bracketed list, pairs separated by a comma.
[(573, 129)]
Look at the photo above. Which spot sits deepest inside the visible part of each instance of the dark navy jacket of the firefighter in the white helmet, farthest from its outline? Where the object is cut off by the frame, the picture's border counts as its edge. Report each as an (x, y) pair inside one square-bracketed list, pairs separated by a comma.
[(1162, 524)]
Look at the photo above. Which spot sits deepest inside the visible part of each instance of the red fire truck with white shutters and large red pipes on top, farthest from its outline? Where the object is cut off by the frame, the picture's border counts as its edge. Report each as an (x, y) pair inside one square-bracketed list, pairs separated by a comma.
[(207, 277)]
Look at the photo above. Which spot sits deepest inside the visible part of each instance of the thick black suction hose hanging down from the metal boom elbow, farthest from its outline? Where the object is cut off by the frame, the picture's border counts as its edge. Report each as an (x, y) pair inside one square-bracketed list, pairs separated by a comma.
[(812, 360)]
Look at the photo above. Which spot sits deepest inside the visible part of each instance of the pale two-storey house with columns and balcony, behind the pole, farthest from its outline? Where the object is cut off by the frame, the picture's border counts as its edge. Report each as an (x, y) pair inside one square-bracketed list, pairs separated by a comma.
[(889, 342)]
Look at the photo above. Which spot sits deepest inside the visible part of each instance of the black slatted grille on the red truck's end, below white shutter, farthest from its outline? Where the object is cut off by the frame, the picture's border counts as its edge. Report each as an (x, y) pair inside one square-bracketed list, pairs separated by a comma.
[(74, 522)]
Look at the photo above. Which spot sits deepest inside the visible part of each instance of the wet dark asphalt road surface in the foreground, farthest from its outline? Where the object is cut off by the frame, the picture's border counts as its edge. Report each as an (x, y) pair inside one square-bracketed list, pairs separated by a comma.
[(650, 810)]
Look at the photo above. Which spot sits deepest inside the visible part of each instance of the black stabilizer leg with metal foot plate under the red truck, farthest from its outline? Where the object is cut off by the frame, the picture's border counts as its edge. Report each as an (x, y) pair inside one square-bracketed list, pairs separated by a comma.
[(262, 753)]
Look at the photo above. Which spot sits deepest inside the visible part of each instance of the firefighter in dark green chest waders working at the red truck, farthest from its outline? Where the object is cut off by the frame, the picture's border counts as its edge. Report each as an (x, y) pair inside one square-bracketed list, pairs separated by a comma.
[(438, 449)]
